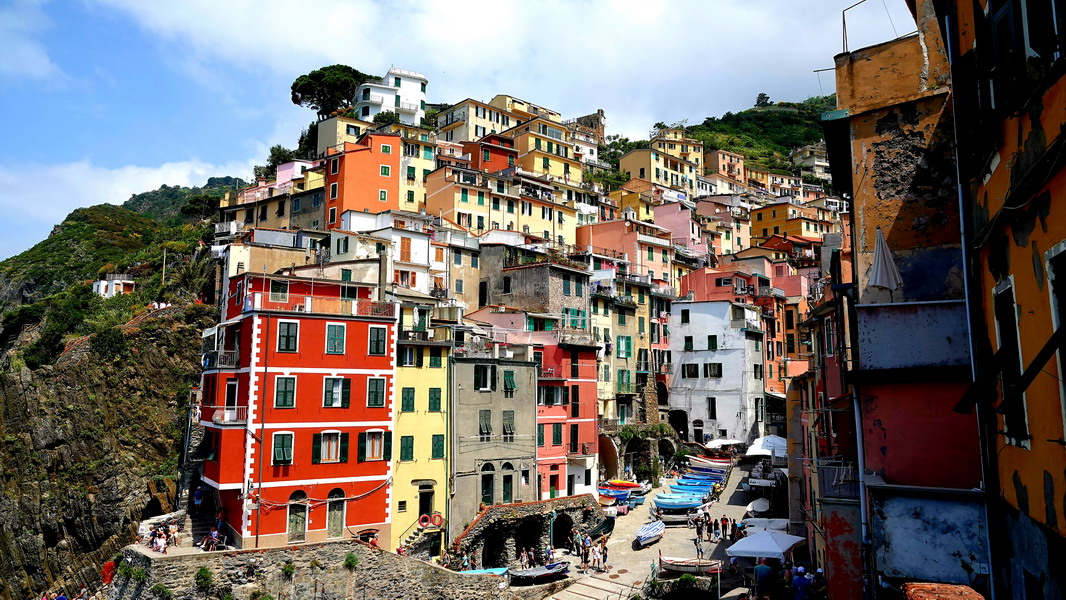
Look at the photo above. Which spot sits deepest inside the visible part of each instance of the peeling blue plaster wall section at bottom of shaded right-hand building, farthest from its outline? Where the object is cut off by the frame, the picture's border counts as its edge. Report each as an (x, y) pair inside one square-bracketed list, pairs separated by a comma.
[(927, 540)]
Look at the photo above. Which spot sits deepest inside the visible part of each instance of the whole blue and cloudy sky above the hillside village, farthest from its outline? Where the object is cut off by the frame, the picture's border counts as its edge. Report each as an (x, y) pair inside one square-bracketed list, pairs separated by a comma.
[(101, 100)]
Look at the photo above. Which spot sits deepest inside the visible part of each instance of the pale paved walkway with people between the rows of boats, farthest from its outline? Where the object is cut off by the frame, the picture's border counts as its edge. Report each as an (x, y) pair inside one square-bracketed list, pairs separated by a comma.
[(632, 565)]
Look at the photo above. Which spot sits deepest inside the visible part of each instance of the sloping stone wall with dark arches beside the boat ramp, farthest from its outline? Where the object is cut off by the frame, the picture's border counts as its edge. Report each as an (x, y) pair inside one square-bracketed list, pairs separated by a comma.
[(496, 538)]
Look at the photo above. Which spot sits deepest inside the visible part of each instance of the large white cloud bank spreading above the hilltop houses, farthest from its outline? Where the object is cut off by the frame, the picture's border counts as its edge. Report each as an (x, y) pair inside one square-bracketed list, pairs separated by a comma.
[(641, 61)]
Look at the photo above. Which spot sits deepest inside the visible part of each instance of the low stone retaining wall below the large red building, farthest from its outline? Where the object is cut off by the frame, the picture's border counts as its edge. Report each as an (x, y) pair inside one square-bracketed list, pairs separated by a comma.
[(319, 574)]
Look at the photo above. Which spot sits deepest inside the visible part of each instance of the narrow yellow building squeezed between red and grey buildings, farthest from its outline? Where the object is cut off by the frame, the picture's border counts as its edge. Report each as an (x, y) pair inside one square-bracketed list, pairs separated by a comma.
[(421, 453)]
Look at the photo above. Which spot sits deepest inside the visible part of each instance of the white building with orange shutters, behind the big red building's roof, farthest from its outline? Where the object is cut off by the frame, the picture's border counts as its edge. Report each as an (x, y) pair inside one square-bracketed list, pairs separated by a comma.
[(410, 234)]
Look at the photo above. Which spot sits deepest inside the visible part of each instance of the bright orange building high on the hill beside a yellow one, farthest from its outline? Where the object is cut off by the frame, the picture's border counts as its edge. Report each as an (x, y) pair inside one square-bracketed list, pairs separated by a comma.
[(363, 177)]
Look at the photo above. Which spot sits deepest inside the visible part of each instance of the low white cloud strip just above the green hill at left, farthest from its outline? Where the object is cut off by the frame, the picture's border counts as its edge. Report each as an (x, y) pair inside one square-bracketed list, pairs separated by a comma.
[(33, 210)]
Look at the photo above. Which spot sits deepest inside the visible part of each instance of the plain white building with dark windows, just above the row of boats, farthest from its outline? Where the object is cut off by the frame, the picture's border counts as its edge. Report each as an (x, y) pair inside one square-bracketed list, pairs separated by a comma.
[(717, 388)]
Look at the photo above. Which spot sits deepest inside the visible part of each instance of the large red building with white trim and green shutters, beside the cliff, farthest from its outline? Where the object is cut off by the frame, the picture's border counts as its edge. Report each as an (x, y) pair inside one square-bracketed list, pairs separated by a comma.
[(298, 411)]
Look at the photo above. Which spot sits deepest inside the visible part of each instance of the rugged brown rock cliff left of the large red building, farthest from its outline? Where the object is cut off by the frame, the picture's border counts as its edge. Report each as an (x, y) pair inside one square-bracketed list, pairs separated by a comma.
[(88, 448)]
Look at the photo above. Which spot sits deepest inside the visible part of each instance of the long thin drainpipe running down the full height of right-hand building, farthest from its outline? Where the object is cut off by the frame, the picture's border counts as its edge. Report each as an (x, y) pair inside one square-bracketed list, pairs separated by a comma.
[(987, 428)]
